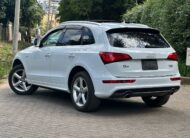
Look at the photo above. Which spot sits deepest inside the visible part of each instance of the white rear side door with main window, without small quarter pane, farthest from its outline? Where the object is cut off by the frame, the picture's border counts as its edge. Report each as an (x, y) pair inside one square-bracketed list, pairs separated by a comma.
[(64, 54)]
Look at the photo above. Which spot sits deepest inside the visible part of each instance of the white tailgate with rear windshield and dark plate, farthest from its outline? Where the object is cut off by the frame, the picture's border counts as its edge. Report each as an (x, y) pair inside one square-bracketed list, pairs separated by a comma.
[(150, 54)]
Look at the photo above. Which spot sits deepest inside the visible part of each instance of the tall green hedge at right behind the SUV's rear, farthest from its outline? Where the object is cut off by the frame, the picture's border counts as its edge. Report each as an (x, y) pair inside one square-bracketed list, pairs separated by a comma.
[(172, 18)]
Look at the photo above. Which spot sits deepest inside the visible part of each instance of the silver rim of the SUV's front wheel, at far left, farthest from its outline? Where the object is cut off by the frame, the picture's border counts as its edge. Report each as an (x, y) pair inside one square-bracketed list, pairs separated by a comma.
[(19, 81)]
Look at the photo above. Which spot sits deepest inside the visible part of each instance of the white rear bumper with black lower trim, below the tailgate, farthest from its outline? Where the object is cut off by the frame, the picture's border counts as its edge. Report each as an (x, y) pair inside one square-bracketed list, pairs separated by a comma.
[(141, 87)]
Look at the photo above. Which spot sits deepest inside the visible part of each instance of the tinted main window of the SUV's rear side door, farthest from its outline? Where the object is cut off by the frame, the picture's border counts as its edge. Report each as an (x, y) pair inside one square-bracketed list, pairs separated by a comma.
[(71, 37)]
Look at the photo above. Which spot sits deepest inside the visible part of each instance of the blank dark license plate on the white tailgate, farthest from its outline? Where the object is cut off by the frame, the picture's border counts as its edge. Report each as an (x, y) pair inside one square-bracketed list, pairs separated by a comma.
[(149, 65)]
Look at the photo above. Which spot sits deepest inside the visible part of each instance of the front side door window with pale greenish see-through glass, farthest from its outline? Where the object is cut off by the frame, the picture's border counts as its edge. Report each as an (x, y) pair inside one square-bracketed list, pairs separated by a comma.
[(52, 38)]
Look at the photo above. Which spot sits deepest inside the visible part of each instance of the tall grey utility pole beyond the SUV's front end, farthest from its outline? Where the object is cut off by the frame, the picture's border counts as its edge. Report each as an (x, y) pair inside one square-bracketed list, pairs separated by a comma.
[(16, 26)]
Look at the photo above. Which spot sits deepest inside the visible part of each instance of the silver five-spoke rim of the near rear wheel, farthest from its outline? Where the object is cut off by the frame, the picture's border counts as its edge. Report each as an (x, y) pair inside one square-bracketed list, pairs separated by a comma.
[(80, 91)]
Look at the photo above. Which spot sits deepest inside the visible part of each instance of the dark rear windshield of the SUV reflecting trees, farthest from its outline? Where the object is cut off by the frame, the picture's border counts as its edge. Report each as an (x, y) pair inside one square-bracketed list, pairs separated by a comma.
[(136, 38)]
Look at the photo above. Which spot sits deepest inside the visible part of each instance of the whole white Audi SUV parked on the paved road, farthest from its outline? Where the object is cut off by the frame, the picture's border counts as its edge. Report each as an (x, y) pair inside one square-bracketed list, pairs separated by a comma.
[(94, 61)]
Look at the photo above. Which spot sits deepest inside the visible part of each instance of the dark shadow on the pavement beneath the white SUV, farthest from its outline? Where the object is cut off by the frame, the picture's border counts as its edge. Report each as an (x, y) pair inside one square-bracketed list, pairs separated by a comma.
[(111, 107)]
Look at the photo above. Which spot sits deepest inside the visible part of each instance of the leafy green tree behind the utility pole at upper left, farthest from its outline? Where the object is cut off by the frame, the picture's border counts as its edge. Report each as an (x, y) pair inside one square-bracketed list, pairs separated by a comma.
[(31, 14)]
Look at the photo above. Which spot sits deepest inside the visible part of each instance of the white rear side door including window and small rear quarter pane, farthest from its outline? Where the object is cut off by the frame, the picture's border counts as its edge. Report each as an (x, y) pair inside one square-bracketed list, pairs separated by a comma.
[(71, 46)]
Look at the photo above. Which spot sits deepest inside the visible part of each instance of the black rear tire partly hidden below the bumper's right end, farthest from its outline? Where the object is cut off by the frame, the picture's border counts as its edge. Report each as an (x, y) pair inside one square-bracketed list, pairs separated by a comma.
[(156, 101)]
